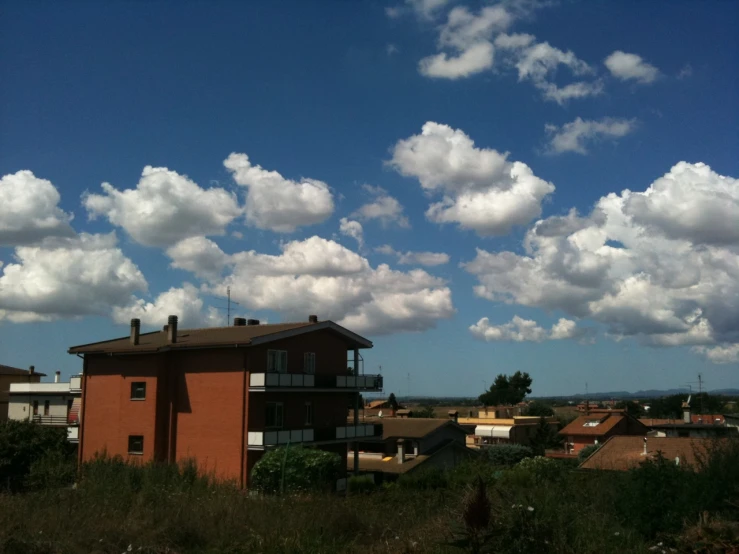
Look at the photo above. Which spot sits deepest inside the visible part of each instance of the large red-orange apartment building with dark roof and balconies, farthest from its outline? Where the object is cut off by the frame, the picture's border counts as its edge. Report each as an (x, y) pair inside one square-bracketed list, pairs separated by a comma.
[(223, 395)]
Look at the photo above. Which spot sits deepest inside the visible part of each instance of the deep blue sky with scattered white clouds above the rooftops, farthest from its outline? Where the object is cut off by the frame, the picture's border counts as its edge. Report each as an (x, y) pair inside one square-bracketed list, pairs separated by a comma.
[(457, 136)]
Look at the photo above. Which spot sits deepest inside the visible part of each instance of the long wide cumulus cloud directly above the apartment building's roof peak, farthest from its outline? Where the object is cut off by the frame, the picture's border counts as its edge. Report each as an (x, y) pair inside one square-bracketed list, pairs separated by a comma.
[(321, 276)]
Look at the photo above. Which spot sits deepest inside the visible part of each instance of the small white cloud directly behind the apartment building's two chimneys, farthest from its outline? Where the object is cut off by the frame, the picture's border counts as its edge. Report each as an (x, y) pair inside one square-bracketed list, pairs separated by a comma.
[(184, 302)]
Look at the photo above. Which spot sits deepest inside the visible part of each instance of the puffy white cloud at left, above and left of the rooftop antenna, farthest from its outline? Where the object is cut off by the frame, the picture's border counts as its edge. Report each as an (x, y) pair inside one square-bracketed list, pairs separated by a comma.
[(164, 208)]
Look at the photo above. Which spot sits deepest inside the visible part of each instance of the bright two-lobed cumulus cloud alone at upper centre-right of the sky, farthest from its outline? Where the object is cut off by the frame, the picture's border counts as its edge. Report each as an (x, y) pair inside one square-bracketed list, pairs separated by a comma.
[(481, 189)]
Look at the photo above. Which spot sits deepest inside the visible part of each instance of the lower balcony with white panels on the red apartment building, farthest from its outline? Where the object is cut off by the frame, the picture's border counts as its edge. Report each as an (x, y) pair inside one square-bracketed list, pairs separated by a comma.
[(323, 435)]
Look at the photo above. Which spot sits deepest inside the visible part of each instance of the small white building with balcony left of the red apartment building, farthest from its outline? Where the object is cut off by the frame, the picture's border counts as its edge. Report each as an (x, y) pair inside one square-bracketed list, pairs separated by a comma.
[(56, 404)]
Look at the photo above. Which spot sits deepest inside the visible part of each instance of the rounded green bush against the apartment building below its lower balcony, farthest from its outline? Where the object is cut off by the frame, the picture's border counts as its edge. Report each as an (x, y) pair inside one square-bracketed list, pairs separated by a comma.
[(293, 469)]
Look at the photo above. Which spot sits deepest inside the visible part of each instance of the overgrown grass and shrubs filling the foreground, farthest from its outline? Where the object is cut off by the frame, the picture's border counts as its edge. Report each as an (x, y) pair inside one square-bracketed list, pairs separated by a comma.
[(534, 505)]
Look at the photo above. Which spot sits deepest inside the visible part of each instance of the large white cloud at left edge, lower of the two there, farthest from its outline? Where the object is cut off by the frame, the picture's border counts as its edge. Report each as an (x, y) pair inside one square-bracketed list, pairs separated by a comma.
[(85, 275)]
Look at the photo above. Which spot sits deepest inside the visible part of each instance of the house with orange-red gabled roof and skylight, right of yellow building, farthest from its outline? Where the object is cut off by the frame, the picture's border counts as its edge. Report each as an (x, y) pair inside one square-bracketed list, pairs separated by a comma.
[(598, 426)]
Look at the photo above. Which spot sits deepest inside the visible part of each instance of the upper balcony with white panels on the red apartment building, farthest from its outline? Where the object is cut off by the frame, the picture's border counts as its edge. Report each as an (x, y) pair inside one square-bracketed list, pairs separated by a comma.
[(324, 383)]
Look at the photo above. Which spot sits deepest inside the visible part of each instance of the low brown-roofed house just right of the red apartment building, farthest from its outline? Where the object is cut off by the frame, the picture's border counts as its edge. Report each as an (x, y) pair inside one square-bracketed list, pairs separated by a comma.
[(408, 444)]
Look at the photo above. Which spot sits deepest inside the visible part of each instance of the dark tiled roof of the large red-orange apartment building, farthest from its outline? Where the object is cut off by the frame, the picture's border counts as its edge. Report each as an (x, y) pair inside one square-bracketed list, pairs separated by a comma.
[(199, 338)]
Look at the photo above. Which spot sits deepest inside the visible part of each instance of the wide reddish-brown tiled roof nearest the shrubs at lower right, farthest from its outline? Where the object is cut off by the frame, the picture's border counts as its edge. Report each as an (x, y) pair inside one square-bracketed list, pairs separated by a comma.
[(621, 453)]
